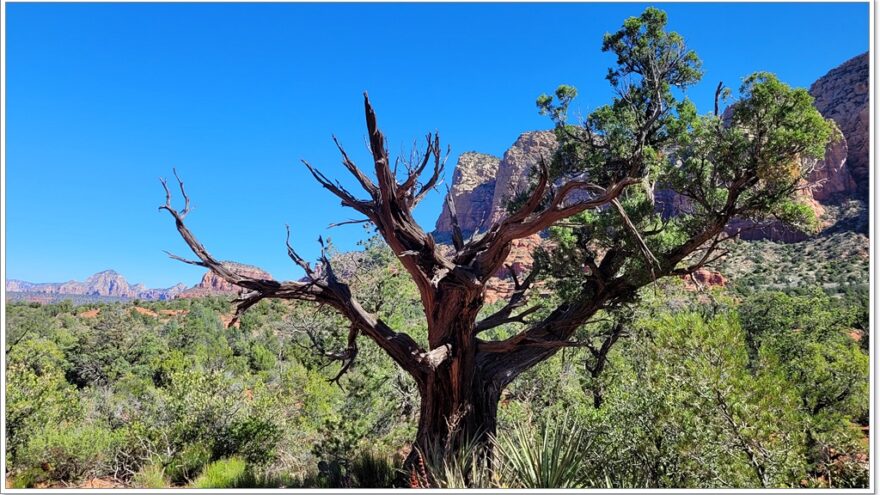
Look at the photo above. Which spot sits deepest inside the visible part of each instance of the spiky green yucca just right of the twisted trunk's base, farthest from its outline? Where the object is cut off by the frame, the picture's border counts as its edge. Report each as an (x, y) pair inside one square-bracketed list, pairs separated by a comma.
[(546, 457)]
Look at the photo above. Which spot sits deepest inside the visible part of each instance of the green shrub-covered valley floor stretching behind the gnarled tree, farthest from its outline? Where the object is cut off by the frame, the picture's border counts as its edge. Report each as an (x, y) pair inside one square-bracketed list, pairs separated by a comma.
[(704, 388)]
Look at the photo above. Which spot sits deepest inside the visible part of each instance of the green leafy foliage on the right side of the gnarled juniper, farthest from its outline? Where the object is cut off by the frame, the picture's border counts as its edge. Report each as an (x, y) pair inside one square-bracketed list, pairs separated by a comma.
[(747, 163)]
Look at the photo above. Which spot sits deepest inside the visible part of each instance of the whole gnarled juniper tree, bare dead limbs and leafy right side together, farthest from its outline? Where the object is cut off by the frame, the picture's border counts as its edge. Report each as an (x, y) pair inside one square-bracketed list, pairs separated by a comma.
[(602, 180)]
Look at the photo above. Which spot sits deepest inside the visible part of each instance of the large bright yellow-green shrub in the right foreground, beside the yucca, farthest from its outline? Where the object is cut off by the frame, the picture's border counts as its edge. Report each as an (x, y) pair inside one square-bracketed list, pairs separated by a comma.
[(680, 406)]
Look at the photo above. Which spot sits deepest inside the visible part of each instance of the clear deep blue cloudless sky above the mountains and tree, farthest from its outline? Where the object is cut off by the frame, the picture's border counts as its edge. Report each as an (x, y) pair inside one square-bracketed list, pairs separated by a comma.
[(102, 99)]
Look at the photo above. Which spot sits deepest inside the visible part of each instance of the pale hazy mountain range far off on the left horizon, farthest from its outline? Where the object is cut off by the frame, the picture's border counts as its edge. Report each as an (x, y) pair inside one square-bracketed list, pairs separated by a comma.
[(107, 283)]
